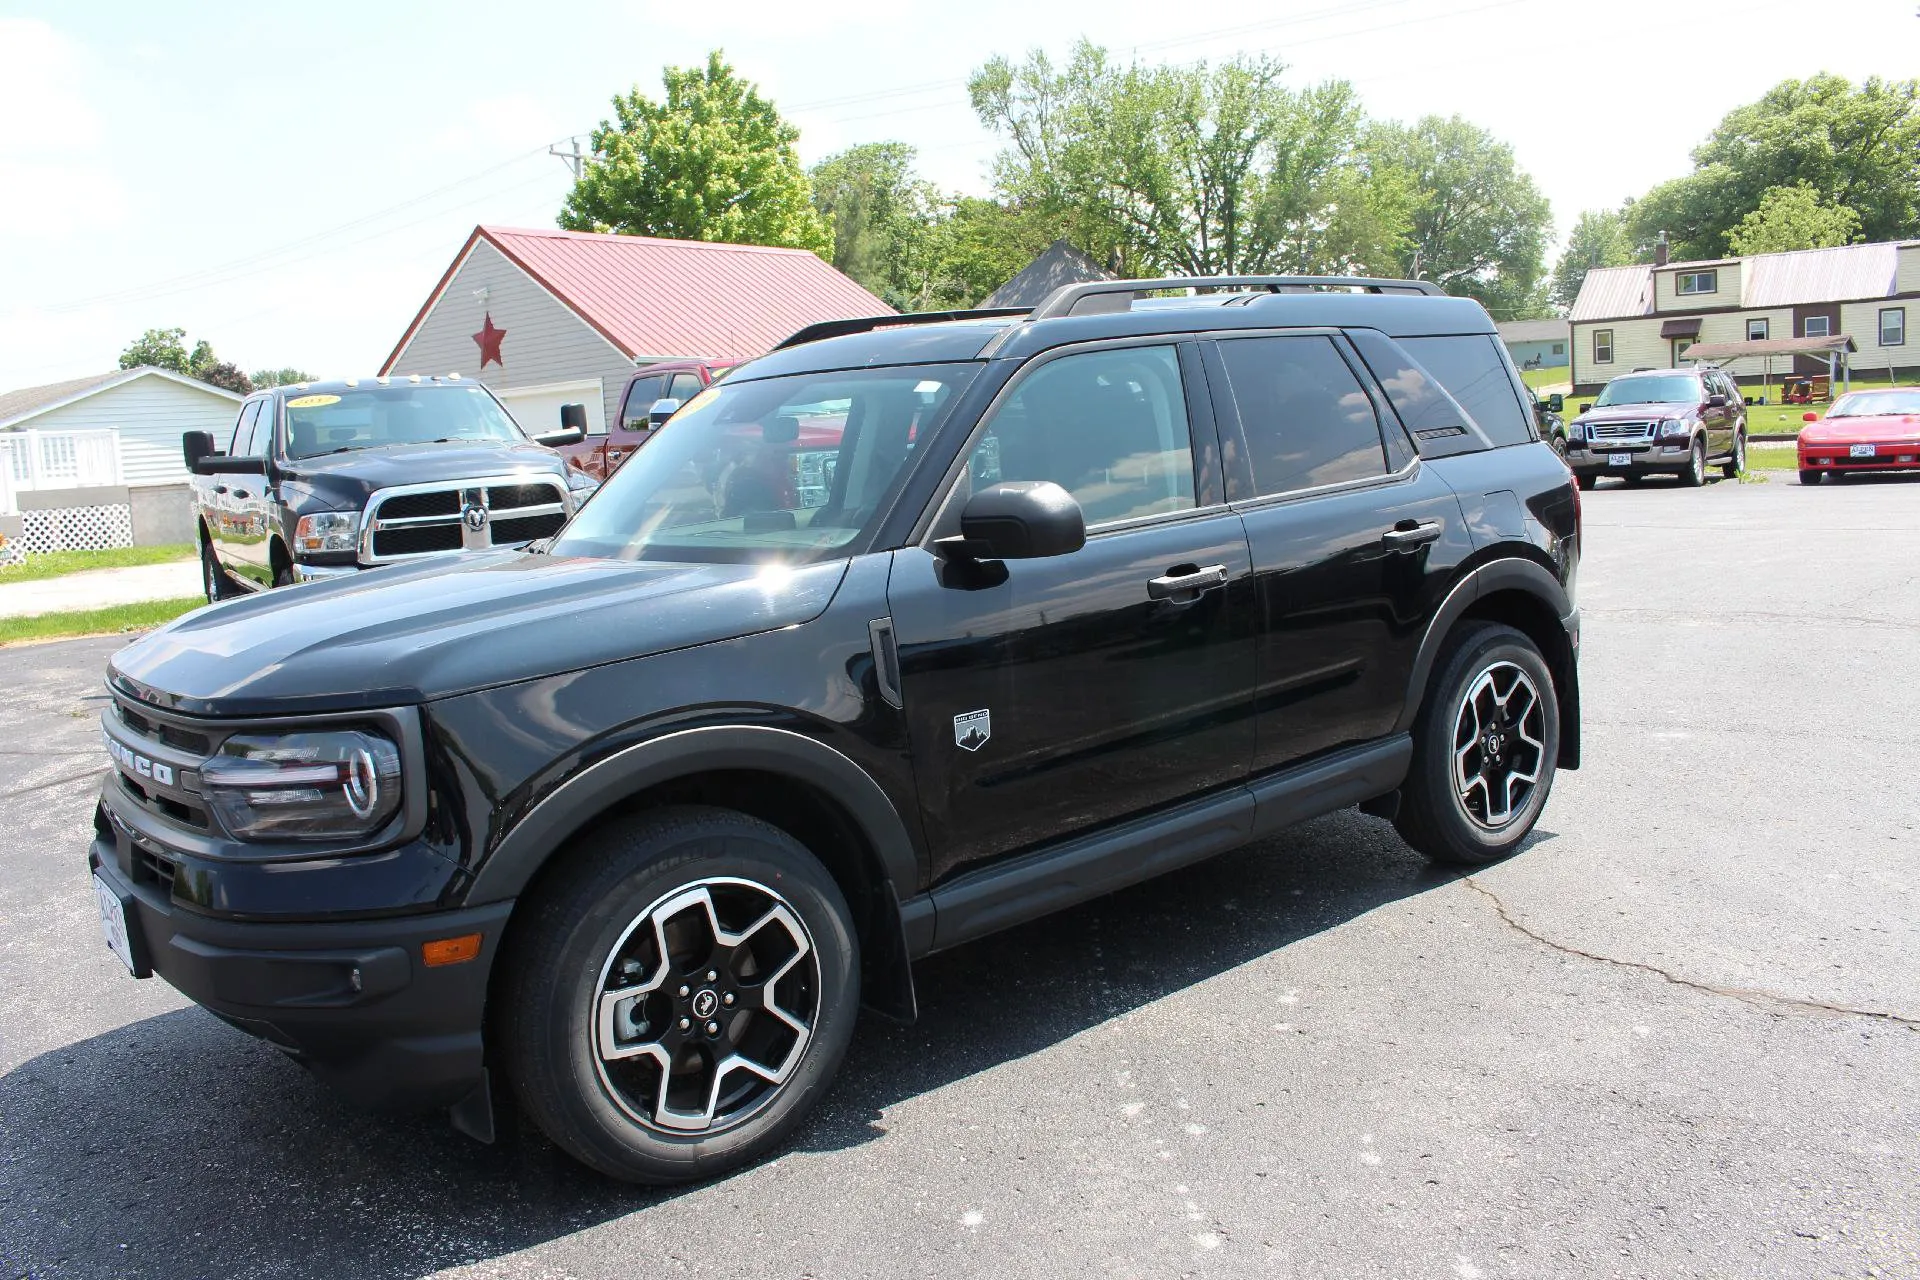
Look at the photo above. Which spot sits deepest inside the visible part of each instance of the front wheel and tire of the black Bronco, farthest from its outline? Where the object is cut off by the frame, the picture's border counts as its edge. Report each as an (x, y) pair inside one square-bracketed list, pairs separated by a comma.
[(727, 895)]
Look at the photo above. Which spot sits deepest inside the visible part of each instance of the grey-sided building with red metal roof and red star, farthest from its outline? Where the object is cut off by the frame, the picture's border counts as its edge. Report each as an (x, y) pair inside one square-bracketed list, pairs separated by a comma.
[(550, 318)]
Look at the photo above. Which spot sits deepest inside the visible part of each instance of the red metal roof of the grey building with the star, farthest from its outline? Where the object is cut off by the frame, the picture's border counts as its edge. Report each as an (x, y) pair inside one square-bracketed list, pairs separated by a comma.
[(661, 298)]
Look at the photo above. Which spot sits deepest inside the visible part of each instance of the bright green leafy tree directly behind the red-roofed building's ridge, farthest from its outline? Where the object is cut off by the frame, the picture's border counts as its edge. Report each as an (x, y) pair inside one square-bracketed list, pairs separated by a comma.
[(713, 162)]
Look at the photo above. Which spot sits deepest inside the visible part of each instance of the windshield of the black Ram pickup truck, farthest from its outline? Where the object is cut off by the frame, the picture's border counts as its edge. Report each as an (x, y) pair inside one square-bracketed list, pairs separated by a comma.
[(393, 415)]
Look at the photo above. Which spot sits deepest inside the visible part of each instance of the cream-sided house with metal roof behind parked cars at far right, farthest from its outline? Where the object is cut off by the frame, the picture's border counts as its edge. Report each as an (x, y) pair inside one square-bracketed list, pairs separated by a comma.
[(1650, 316)]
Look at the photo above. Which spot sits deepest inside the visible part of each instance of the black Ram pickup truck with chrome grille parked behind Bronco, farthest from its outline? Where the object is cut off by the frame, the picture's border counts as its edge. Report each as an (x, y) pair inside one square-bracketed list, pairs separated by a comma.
[(327, 479)]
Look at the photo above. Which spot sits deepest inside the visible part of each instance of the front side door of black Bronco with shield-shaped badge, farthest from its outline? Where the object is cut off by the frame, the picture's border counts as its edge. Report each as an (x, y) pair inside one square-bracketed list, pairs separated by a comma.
[(1055, 696)]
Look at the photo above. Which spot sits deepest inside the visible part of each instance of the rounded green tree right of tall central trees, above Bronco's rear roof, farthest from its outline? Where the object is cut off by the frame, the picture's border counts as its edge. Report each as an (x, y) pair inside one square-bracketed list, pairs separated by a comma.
[(1479, 222)]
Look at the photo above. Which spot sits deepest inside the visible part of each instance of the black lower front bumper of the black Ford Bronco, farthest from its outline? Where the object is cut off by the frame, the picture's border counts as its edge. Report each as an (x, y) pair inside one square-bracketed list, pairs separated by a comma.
[(352, 999)]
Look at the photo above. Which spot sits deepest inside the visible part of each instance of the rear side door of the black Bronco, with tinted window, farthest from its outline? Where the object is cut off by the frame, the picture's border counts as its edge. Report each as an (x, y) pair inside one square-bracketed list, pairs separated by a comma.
[(1353, 540)]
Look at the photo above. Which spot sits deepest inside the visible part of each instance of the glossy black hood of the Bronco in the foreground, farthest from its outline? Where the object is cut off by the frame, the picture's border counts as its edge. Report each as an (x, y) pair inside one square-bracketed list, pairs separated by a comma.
[(418, 632)]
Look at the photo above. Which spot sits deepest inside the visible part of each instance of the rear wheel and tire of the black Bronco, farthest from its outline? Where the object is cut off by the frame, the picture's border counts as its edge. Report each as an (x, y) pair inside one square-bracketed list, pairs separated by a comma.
[(1477, 694)]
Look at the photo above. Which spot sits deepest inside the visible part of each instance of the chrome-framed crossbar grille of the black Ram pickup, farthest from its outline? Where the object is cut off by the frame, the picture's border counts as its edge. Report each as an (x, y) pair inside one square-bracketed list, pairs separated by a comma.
[(439, 519)]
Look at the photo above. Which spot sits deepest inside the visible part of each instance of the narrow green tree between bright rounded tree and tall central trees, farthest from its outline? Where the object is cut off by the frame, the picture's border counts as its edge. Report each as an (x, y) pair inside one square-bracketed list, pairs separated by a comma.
[(884, 218)]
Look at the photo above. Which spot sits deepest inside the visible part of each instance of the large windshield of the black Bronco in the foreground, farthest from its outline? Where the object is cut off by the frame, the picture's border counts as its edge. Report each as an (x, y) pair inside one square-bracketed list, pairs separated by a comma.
[(779, 469)]
